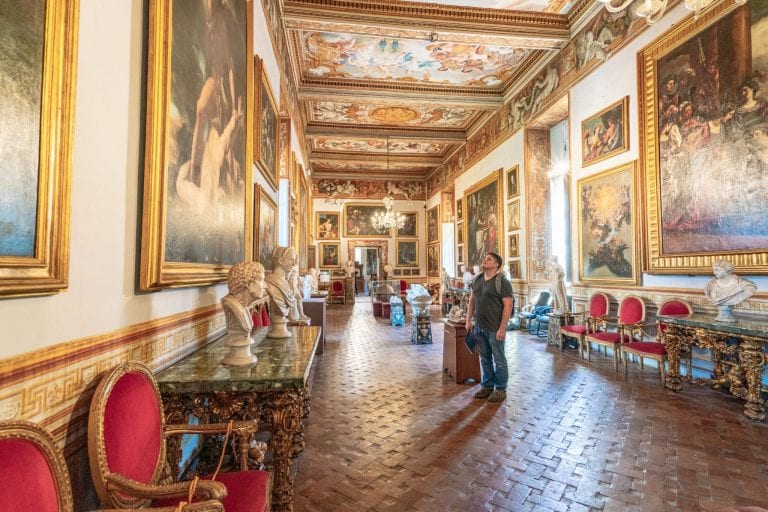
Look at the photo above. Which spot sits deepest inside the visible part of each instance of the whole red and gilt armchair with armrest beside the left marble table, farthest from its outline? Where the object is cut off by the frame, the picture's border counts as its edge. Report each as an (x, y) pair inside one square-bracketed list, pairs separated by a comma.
[(127, 450)]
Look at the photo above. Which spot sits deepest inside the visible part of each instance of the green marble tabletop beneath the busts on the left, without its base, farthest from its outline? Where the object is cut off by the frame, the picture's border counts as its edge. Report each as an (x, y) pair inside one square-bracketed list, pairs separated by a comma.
[(283, 363)]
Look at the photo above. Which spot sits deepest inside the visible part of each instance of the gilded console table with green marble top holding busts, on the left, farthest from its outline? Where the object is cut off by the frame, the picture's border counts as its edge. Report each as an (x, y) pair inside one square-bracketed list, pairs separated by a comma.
[(273, 390)]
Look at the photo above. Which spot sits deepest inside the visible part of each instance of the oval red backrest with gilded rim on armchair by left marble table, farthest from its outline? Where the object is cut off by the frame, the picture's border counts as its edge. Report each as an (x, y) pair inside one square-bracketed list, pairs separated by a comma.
[(125, 429)]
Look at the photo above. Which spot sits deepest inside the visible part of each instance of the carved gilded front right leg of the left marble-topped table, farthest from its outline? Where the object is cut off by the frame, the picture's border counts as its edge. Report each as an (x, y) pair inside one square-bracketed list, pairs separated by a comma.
[(286, 421)]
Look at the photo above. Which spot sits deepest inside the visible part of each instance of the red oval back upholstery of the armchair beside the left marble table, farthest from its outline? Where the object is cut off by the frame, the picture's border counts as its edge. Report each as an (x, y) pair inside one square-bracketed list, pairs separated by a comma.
[(132, 428)]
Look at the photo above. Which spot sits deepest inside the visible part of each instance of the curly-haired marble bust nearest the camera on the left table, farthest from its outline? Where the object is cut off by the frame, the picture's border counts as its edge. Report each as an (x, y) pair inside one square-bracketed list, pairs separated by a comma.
[(246, 288)]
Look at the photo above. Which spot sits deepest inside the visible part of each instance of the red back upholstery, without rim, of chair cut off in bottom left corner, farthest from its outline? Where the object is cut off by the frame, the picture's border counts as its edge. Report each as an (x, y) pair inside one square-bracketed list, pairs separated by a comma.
[(27, 479)]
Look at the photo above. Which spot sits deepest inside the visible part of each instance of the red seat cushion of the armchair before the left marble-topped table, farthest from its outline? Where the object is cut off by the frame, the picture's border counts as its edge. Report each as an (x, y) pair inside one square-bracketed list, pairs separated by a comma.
[(246, 491)]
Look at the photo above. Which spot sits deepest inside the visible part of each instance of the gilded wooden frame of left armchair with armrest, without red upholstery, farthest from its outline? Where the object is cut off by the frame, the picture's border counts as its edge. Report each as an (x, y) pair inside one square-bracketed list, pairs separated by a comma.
[(120, 492)]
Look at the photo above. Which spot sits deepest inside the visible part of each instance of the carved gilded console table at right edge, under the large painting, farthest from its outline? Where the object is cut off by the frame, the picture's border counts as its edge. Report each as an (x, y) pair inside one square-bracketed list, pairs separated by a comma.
[(745, 340)]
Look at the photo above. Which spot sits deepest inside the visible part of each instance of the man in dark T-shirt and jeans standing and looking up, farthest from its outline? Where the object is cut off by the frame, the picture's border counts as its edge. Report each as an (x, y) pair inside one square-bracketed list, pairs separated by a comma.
[(490, 302)]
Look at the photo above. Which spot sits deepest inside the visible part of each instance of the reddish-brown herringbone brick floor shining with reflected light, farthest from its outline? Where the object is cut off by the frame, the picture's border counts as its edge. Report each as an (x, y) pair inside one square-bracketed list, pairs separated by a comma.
[(388, 431)]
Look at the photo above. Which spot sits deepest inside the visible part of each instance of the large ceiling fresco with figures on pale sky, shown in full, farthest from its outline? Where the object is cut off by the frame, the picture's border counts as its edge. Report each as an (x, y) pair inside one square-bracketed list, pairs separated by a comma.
[(354, 57)]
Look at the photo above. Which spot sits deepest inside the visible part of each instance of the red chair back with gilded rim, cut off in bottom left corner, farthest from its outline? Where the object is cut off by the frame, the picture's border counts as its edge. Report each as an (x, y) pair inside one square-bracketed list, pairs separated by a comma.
[(33, 473)]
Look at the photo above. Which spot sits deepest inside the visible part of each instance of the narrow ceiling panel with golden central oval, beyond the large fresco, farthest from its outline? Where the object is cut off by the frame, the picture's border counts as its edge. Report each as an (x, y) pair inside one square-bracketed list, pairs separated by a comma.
[(379, 115)]
